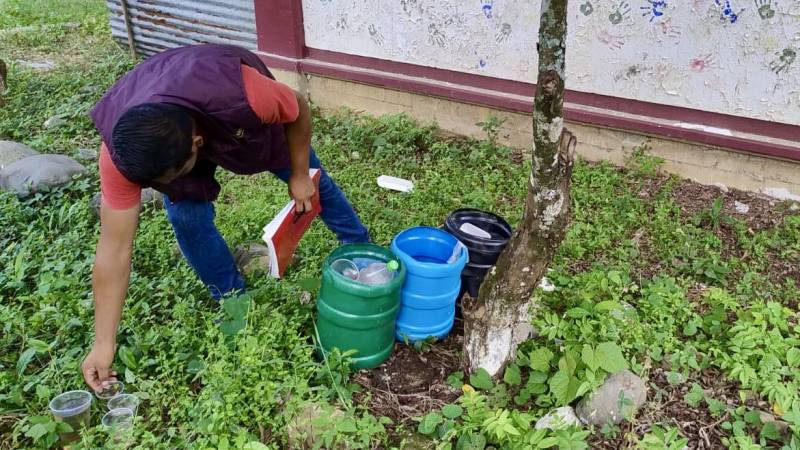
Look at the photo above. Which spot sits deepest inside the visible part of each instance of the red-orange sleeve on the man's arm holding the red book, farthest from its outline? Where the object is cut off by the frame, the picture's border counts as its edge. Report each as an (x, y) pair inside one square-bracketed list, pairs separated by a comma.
[(272, 101)]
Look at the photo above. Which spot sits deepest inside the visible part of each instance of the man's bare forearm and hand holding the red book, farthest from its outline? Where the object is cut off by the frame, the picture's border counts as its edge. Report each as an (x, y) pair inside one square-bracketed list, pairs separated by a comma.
[(298, 137)]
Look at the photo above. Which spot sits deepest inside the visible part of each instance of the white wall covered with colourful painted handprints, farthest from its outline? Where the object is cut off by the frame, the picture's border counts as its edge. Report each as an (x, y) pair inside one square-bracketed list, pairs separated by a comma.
[(740, 57)]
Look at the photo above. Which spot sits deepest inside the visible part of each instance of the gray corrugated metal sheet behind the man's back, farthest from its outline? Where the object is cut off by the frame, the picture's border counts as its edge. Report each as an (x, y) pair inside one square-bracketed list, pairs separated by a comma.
[(163, 24)]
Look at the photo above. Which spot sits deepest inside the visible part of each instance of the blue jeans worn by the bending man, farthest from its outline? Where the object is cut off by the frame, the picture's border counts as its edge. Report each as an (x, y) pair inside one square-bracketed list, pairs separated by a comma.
[(209, 255)]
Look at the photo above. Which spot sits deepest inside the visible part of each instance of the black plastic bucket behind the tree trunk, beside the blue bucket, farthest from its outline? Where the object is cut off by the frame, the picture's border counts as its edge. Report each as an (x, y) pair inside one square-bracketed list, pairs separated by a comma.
[(483, 252)]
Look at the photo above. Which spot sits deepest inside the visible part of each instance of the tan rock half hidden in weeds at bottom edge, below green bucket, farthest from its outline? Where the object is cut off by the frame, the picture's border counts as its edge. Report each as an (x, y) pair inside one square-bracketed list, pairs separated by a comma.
[(305, 431)]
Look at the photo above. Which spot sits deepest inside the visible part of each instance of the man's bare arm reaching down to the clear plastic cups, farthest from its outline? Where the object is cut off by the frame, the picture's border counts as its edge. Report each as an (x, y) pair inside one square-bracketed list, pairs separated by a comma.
[(110, 277)]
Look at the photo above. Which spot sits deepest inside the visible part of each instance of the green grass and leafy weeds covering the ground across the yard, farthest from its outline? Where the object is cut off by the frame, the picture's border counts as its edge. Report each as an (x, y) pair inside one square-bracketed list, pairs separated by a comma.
[(634, 276)]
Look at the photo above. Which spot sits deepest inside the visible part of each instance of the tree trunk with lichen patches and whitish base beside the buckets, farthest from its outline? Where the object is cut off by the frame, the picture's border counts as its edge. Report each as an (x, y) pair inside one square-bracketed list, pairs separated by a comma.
[(499, 319)]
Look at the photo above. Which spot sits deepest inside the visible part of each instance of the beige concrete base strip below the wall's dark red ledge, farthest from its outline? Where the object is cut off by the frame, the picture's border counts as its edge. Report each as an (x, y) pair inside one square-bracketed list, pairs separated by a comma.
[(698, 162)]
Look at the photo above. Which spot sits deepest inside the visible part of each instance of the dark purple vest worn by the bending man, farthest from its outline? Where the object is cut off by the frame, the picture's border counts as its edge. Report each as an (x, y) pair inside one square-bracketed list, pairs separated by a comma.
[(206, 79)]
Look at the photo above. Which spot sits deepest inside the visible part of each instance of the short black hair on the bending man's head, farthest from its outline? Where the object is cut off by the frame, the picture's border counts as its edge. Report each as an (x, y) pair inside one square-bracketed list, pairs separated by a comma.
[(150, 139)]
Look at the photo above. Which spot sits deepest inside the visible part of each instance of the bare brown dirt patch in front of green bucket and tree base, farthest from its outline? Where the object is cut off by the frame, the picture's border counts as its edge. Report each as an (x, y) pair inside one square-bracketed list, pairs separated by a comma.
[(412, 382)]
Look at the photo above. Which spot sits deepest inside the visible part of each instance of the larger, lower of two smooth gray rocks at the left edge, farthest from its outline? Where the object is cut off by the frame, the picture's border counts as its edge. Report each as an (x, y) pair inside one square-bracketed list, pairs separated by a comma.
[(39, 172)]
